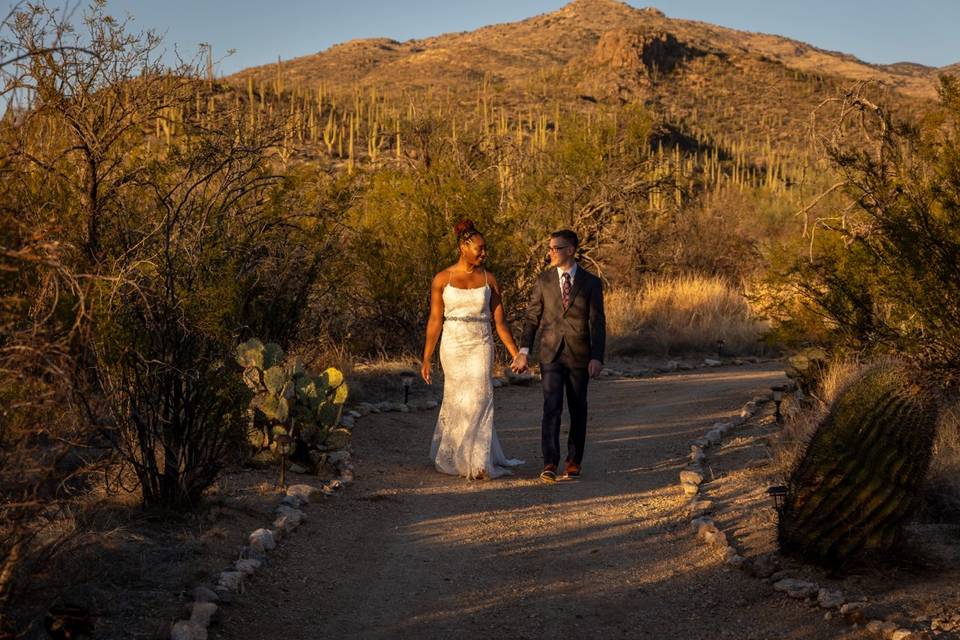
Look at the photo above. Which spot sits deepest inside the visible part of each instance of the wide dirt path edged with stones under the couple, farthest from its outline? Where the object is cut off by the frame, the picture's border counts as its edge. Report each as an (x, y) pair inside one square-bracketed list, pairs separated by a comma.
[(408, 552)]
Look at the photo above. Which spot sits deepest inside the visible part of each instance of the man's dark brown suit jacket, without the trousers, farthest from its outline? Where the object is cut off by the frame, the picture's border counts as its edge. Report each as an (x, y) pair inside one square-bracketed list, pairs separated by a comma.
[(581, 329)]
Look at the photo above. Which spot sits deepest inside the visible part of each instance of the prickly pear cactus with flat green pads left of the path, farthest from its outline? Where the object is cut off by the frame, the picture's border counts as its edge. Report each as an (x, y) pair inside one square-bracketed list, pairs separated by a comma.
[(290, 398)]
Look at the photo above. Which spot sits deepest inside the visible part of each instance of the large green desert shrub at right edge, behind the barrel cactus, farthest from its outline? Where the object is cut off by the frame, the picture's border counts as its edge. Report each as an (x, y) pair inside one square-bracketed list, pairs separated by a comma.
[(881, 270)]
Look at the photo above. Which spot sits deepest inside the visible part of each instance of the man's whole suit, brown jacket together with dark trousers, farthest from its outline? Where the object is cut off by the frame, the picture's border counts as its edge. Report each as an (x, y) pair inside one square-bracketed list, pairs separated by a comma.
[(569, 339)]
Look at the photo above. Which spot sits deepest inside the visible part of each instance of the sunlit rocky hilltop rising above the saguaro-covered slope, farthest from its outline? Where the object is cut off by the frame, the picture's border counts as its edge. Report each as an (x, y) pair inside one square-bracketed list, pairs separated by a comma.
[(714, 89)]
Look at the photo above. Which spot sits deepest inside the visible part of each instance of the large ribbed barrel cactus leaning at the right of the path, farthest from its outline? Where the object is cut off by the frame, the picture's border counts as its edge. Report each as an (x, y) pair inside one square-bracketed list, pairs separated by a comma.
[(860, 475)]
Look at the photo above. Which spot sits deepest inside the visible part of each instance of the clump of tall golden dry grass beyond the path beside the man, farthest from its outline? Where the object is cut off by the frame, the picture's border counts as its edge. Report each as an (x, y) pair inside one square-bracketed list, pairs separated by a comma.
[(682, 314)]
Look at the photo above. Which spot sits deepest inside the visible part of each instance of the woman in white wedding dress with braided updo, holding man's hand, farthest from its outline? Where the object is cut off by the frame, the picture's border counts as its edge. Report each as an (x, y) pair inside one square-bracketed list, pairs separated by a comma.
[(463, 298)]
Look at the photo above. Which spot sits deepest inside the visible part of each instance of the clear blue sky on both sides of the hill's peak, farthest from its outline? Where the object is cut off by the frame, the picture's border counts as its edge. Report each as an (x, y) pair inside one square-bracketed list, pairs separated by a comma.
[(881, 31)]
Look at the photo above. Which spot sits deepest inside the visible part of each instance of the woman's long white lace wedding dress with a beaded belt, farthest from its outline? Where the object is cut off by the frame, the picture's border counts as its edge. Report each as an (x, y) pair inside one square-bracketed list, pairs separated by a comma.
[(464, 441)]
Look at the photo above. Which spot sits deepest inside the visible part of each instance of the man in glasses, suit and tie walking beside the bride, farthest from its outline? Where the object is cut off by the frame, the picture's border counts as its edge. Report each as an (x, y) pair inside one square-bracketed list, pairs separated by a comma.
[(567, 305)]
